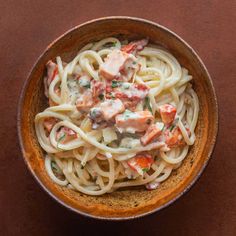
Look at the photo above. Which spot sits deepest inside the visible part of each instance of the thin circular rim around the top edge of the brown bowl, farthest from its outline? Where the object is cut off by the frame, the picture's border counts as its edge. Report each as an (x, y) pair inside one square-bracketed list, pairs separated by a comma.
[(21, 103)]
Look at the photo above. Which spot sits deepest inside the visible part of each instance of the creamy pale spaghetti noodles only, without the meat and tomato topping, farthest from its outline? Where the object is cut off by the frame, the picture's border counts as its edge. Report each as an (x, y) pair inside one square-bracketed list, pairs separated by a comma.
[(95, 161)]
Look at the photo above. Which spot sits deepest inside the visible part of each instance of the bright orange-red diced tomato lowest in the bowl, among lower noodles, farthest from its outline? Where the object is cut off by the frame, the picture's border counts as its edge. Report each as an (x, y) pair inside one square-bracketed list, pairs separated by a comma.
[(141, 163)]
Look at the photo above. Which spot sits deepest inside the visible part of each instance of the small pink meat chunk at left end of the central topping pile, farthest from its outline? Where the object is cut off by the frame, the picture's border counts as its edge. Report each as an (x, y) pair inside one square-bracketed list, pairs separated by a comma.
[(85, 101)]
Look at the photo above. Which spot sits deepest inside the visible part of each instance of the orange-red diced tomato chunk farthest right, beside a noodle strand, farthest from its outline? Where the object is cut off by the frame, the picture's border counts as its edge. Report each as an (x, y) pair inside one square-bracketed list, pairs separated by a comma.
[(174, 138)]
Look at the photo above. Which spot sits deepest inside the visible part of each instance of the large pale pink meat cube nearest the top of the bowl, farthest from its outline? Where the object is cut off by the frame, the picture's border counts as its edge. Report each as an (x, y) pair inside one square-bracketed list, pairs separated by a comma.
[(114, 64)]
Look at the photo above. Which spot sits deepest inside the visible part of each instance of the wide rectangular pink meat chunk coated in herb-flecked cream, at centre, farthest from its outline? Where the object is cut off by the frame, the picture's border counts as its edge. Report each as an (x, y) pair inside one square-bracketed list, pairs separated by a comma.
[(134, 121)]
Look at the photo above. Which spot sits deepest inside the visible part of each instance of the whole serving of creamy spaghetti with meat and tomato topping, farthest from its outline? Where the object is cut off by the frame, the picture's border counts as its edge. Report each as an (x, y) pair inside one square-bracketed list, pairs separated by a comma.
[(120, 115)]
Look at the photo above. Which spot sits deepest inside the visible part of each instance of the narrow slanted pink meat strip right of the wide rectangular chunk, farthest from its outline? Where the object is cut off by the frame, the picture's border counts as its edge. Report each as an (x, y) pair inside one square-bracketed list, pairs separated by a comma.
[(152, 132)]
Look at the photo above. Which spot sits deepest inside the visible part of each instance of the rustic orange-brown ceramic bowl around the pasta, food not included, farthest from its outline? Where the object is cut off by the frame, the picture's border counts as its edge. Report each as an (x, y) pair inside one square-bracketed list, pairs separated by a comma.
[(129, 203)]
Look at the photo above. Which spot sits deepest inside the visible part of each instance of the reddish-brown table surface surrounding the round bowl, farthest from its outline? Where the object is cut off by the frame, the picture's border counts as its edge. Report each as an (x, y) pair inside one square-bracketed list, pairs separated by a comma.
[(27, 27)]
